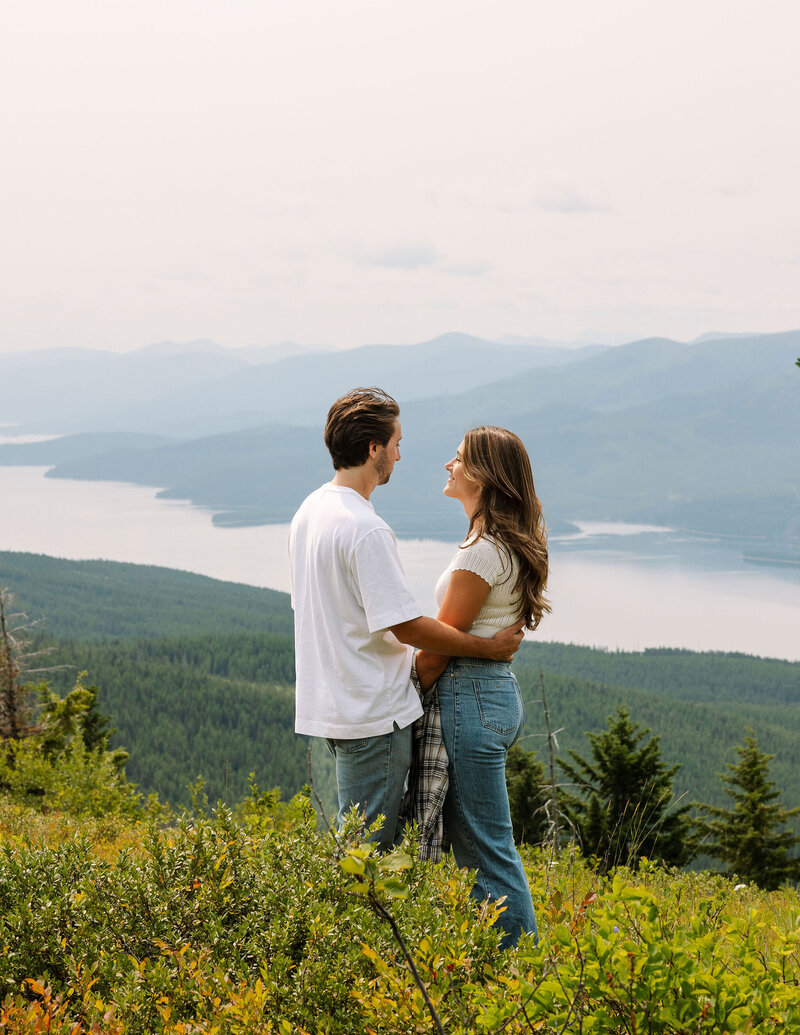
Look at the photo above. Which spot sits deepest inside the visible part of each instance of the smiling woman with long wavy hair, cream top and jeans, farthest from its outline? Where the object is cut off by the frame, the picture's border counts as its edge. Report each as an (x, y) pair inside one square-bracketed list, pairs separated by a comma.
[(497, 577)]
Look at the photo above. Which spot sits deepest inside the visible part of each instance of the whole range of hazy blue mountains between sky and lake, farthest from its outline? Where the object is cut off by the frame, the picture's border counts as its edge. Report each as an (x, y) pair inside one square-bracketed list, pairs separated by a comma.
[(701, 436)]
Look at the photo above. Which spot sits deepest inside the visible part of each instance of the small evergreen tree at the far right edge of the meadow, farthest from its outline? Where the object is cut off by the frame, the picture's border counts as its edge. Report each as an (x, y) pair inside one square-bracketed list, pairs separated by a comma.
[(749, 837)]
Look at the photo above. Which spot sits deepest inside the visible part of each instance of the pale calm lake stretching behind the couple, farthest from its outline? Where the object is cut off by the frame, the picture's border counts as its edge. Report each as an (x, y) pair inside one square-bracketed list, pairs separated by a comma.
[(615, 586)]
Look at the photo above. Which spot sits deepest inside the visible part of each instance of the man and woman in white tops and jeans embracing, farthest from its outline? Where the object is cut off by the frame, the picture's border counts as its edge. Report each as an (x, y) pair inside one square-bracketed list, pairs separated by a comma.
[(357, 623)]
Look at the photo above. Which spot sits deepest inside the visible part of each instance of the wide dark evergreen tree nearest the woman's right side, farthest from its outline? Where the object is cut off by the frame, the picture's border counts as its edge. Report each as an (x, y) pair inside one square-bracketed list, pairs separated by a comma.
[(625, 808)]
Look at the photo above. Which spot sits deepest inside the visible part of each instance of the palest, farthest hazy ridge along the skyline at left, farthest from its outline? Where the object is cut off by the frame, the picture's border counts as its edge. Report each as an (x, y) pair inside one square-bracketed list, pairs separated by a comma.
[(189, 394)]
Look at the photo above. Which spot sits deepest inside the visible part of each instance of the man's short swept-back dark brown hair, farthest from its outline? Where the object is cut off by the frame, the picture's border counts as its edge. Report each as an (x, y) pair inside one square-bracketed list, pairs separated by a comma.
[(365, 416)]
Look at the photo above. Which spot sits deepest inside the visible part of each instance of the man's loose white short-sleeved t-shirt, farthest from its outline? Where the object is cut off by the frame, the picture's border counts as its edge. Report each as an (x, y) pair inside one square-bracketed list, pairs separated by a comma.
[(348, 588)]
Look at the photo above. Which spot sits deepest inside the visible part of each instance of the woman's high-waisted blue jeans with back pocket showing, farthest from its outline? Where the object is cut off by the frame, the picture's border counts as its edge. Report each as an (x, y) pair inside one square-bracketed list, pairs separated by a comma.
[(482, 717)]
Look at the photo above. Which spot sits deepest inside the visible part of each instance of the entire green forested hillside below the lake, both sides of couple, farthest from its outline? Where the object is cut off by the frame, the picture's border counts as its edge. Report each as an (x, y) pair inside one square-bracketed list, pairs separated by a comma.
[(198, 675)]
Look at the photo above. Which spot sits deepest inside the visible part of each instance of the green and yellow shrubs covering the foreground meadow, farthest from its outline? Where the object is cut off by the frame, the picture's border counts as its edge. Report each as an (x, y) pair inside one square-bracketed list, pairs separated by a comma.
[(259, 924)]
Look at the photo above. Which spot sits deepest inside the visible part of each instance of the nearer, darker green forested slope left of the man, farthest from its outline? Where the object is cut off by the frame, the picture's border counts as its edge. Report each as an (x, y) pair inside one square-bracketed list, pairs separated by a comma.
[(217, 707)]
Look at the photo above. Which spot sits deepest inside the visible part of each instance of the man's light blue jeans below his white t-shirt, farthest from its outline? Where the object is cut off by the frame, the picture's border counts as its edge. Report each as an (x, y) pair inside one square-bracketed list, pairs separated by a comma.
[(371, 774)]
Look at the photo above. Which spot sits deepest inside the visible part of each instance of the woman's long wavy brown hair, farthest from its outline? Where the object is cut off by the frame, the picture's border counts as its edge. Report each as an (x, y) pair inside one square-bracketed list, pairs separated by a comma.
[(510, 512)]
